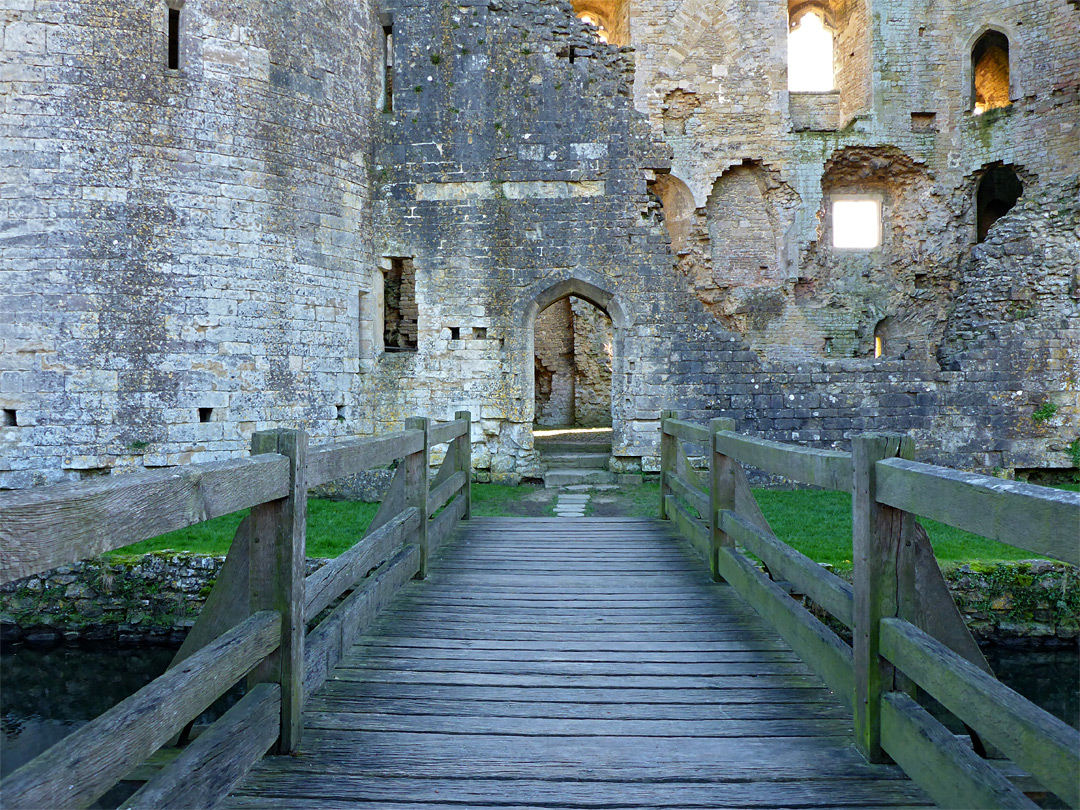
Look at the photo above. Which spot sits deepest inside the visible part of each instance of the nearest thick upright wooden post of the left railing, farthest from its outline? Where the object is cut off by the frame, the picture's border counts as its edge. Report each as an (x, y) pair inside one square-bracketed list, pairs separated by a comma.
[(276, 579)]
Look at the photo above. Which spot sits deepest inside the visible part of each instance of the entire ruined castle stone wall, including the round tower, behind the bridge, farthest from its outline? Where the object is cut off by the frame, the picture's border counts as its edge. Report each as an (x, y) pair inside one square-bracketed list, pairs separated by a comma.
[(194, 254)]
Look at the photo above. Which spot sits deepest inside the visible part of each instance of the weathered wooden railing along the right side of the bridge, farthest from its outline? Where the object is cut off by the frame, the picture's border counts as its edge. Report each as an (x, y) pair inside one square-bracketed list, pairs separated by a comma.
[(907, 630)]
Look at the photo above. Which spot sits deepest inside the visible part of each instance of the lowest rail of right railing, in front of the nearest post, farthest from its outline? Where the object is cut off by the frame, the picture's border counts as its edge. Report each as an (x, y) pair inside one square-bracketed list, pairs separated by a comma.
[(951, 773)]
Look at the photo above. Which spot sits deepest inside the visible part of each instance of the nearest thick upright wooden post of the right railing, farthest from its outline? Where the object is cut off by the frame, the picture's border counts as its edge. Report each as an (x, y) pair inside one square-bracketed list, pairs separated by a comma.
[(882, 565)]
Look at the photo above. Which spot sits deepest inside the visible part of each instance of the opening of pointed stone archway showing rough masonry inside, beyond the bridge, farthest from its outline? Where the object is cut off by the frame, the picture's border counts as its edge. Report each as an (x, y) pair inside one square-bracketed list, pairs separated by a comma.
[(573, 347)]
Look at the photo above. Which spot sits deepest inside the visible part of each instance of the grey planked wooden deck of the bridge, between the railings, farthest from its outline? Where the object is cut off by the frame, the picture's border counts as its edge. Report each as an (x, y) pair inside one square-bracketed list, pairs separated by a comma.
[(573, 664)]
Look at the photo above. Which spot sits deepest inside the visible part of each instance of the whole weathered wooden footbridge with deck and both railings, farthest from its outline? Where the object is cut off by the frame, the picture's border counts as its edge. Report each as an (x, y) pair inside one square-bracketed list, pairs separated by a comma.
[(550, 663)]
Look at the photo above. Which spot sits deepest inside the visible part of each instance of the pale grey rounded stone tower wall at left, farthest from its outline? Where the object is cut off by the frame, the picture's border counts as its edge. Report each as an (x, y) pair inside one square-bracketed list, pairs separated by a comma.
[(182, 250)]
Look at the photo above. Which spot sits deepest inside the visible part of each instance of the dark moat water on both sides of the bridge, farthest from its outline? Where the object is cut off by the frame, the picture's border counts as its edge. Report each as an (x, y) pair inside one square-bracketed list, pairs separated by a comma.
[(46, 695)]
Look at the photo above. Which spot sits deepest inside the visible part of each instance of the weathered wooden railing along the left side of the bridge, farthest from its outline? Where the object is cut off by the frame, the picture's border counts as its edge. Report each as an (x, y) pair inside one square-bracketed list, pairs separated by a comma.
[(256, 619)]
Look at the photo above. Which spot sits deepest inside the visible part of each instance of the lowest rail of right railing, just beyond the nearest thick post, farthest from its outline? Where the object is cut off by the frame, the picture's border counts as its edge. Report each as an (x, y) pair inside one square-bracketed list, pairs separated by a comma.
[(816, 644)]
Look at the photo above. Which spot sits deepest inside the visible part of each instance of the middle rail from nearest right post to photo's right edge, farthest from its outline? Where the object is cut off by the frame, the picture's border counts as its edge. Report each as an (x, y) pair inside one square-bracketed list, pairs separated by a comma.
[(1038, 742)]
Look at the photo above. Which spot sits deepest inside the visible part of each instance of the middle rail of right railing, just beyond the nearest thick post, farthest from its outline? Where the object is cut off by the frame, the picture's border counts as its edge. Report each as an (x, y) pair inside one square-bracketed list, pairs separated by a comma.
[(825, 588)]
